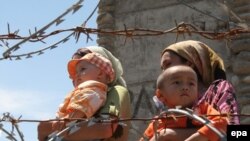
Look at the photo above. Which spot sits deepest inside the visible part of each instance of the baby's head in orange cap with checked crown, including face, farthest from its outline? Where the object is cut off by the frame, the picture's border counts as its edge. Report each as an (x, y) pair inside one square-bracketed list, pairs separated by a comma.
[(91, 66)]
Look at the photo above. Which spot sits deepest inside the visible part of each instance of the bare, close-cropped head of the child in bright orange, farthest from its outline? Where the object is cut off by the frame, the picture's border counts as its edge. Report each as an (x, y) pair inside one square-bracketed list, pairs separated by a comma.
[(177, 86)]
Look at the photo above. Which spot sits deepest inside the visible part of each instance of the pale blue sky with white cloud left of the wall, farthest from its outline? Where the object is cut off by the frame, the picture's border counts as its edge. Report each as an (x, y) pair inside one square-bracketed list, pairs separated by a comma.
[(33, 88)]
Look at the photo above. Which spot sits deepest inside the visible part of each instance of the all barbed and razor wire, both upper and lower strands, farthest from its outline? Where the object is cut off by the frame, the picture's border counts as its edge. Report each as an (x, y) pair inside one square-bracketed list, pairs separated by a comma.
[(39, 36)]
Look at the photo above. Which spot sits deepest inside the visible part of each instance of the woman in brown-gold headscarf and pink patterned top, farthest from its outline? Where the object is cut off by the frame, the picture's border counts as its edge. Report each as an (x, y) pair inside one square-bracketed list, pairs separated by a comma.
[(213, 86)]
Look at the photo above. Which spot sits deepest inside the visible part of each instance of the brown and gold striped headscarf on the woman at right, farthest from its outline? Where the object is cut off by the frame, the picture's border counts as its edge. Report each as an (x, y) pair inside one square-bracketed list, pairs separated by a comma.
[(201, 56)]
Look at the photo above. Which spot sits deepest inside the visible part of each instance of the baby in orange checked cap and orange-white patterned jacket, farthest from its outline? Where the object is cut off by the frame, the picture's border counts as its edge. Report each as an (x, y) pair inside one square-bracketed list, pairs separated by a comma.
[(90, 75)]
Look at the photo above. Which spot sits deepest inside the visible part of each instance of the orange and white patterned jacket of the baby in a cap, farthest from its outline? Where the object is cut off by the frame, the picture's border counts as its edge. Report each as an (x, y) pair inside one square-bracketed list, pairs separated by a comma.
[(84, 101)]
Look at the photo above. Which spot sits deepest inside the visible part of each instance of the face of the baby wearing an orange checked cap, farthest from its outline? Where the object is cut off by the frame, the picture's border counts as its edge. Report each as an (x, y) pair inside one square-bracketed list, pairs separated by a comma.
[(85, 71)]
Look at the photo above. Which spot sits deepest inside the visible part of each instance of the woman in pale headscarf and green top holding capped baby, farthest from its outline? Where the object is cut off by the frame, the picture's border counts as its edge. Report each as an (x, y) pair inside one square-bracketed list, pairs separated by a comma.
[(117, 106)]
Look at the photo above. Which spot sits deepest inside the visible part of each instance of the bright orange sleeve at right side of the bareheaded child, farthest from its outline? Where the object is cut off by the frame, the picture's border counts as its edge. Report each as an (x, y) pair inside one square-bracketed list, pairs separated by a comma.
[(218, 122)]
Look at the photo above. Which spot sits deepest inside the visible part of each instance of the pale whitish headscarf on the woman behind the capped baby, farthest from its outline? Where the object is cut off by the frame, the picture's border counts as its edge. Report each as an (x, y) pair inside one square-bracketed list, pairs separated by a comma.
[(116, 64)]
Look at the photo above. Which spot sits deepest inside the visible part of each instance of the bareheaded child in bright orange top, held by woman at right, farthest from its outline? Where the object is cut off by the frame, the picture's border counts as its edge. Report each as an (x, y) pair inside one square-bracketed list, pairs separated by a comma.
[(177, 86)]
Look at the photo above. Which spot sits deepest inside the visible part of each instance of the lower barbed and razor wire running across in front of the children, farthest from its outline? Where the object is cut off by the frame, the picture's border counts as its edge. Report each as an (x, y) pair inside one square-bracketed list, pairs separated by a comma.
[(74, 124)]
